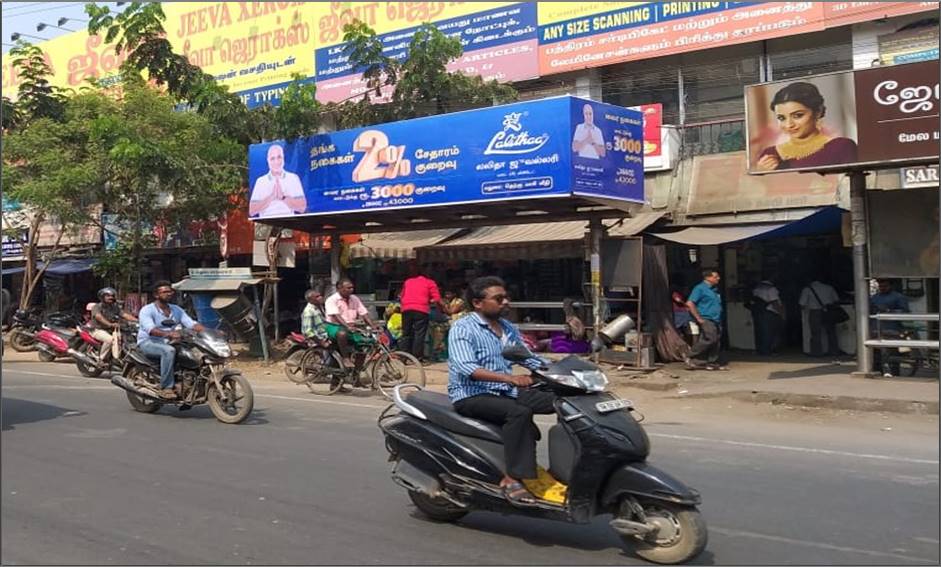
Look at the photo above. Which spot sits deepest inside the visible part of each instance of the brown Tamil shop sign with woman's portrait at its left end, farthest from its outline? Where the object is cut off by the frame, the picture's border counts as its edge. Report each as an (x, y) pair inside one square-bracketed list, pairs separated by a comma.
[(868, 119)]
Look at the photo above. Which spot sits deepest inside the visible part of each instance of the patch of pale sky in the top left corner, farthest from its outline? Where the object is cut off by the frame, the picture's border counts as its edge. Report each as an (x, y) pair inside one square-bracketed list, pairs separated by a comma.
[(23, 17)]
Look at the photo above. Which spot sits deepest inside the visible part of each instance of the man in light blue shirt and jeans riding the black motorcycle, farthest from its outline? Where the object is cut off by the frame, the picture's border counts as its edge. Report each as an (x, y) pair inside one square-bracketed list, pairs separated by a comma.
[(153, 337)]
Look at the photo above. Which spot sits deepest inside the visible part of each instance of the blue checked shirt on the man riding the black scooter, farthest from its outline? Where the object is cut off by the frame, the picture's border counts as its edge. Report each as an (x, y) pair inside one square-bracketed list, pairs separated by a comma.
[(473, 345)]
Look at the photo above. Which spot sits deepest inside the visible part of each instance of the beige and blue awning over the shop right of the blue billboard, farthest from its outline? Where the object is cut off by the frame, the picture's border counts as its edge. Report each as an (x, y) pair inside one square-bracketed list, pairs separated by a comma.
[(819, 221)]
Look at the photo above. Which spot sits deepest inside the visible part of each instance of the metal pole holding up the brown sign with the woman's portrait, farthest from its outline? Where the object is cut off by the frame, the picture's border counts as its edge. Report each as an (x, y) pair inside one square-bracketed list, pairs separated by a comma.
[(860, 283)]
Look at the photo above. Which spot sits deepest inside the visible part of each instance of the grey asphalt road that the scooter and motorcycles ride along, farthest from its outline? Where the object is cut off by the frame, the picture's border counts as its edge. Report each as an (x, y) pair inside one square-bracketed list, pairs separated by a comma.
[(85, 480)]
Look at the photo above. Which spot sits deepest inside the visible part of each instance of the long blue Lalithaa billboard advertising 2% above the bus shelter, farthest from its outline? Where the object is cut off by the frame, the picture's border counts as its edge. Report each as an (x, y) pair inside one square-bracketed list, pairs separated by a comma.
[(547, 148)]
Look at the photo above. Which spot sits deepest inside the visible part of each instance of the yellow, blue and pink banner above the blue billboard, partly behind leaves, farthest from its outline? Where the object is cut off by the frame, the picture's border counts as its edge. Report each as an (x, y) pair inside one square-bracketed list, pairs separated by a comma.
[(499, 39)]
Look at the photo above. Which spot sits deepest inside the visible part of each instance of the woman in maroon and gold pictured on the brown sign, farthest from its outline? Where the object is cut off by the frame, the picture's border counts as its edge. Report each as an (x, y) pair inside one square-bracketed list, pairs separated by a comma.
[(799, 111)]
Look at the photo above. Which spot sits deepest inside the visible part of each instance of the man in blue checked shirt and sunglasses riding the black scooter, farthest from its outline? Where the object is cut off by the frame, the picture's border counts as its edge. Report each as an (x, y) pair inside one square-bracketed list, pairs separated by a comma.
[(481, 383)]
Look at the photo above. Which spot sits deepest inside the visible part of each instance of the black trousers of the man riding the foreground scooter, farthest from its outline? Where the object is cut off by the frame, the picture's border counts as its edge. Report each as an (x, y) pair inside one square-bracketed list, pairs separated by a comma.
[(516, 418)]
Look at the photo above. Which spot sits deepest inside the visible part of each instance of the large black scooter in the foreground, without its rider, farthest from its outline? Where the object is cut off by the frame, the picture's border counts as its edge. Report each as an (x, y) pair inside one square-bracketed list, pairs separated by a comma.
[(451, 465)]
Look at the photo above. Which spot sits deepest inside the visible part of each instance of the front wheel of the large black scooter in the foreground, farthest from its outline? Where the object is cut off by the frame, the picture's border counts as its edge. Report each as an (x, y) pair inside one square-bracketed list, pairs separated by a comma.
[(681, 534)]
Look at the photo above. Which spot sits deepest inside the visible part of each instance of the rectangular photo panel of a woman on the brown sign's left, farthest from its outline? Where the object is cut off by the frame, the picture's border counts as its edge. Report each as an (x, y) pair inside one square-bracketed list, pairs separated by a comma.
[(804, 124)]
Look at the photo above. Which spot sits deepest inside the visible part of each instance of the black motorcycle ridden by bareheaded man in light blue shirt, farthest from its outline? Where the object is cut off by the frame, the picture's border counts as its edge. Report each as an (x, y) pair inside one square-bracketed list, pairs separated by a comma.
[(200, 371)]
